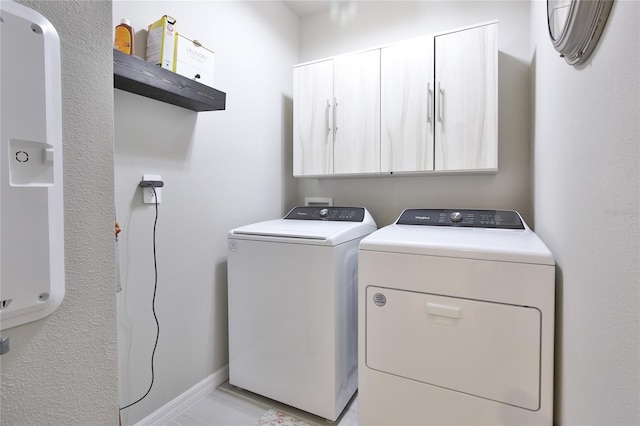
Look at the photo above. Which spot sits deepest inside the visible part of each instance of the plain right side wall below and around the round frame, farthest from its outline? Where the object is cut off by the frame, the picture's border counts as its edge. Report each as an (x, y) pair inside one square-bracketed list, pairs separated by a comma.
[(586, 179)]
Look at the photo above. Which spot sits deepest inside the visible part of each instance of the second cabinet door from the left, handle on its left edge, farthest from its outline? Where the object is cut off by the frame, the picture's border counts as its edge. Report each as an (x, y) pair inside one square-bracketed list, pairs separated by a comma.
[(356, 144)]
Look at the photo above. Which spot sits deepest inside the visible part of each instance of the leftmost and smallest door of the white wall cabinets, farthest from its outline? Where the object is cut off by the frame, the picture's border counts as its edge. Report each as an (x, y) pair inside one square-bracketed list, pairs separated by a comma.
[(313, 119)]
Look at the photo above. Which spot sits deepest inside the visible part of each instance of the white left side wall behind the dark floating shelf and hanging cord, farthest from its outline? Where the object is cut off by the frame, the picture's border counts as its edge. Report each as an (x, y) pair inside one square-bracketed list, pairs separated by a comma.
[(221, 169)]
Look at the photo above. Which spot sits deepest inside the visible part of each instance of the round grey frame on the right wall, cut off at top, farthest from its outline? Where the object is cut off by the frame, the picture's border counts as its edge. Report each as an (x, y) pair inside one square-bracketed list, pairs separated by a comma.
[(582, 29)]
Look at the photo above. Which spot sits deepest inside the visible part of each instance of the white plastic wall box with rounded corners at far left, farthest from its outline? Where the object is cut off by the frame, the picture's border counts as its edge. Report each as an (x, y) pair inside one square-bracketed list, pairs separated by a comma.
[(31, 203)]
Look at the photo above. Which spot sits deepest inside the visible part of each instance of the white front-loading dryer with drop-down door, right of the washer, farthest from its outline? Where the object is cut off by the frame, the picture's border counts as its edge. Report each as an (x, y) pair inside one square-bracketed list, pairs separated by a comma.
[(456, 321)]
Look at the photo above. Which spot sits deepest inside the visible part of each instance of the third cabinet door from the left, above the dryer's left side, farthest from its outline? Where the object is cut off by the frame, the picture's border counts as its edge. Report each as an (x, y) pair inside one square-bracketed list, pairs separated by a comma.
[(406, 121)]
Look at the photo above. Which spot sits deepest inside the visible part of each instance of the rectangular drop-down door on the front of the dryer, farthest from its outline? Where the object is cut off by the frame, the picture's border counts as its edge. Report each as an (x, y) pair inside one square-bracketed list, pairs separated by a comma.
[(485, 349)]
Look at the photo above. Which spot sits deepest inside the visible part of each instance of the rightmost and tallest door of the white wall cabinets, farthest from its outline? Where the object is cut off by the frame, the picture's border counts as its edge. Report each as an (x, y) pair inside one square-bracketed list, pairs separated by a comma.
[(467, 99)]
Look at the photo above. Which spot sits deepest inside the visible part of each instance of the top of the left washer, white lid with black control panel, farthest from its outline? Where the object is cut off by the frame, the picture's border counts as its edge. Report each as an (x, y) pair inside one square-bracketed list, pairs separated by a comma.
[(310, 225)]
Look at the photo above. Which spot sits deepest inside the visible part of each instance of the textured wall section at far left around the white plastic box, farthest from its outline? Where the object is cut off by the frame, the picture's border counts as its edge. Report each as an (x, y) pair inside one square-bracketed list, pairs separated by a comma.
[(62, 370)]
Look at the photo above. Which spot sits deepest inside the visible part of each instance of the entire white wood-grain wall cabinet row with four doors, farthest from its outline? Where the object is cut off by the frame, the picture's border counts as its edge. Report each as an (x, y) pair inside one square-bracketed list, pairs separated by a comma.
[(427, 104)]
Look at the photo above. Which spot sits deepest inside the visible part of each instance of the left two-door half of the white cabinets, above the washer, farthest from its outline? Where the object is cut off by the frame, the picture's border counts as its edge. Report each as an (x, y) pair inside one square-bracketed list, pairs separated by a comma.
[(337, 116)]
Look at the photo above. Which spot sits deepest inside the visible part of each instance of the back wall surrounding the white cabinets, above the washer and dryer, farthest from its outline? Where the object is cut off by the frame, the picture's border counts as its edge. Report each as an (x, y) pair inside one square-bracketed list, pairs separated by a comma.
[(379, 22)]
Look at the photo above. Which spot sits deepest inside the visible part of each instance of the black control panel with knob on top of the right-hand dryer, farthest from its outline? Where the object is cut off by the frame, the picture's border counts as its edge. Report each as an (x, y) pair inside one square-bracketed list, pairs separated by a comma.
[(503, 219)]
